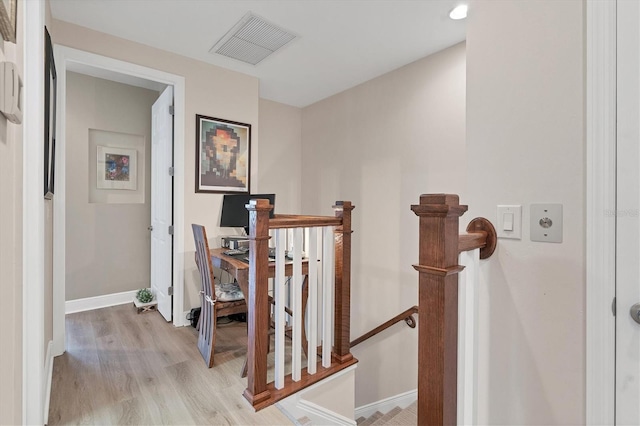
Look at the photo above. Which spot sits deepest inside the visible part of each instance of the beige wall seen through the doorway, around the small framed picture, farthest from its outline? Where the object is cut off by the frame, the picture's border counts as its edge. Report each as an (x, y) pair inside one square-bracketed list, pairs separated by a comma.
[(107, 241)]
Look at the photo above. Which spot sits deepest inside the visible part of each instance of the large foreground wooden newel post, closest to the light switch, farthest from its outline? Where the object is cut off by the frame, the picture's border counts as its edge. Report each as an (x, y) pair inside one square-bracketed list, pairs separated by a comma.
[(438, 308)]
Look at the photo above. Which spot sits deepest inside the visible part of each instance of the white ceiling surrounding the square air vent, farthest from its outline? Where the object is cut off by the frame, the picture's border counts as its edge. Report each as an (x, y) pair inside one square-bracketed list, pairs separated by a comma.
[(341, 43)]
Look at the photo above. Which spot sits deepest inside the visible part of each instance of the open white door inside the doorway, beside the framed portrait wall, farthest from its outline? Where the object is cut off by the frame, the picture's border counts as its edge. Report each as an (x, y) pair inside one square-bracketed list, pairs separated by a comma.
[(161, 201)]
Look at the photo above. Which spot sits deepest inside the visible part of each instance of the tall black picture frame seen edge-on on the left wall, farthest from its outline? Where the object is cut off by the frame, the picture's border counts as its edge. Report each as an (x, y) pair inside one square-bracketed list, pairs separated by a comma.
[(50, 99)]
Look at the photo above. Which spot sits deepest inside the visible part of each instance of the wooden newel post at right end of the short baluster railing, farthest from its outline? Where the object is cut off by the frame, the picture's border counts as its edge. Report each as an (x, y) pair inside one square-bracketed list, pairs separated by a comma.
[(342, 307)]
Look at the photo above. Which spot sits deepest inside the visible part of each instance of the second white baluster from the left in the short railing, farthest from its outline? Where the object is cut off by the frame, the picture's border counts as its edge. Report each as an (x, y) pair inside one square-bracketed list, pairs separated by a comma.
[(296, 306)]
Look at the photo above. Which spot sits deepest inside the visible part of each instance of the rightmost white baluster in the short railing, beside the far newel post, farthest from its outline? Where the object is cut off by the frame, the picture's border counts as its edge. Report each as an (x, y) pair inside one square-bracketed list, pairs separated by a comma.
[(328, 278)]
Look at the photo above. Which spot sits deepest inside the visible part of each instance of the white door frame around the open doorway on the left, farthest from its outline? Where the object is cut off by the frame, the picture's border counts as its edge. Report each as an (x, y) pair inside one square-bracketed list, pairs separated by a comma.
[(66, 56)]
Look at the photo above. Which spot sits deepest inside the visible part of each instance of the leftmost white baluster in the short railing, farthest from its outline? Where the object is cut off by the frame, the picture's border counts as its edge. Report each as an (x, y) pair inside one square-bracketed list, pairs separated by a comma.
[(279, 298)]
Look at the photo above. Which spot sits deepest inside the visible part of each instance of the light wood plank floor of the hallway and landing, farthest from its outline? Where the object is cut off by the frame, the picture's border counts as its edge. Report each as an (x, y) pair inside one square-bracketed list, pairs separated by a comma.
[(124, 368)]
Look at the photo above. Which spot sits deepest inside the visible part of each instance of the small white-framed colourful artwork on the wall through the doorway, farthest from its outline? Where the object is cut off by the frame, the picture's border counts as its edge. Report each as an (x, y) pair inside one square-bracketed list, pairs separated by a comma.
[(116, 168)]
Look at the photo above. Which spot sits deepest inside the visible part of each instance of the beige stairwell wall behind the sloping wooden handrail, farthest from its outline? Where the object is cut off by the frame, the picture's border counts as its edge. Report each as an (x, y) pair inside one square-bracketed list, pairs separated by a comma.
[(381, 145)]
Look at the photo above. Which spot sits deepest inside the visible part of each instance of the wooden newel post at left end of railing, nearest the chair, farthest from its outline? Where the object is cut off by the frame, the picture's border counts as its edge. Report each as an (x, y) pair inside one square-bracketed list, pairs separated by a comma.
[(258, 302)]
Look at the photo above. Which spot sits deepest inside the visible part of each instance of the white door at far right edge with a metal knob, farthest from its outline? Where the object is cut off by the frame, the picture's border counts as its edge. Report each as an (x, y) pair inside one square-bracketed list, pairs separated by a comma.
[(627, 218)]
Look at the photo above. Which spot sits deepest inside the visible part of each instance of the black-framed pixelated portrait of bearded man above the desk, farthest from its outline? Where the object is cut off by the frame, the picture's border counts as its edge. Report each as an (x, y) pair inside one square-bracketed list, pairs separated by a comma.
[(223, 150)]
